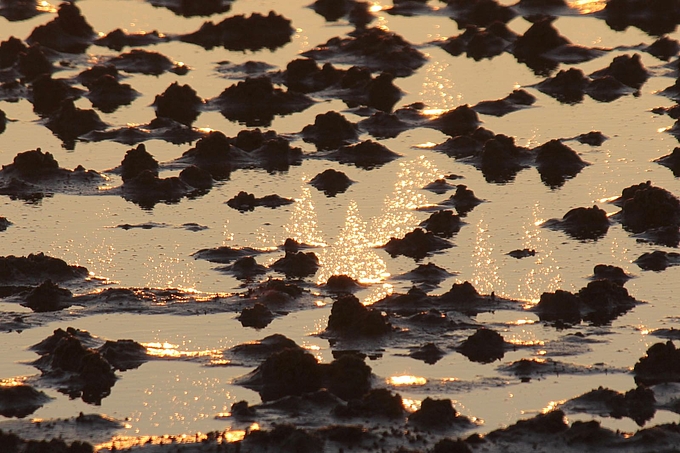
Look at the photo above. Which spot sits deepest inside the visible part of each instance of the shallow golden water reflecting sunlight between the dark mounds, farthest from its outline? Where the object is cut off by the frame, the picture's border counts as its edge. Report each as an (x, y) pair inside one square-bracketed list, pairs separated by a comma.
[(187, 396)]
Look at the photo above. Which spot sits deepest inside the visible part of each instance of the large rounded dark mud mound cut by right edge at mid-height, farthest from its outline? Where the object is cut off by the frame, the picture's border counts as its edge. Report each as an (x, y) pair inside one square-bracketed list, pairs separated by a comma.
[(645, 207)]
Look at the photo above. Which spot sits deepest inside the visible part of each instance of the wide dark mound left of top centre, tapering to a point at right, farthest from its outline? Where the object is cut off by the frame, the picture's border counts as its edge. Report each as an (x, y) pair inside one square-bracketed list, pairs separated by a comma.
[(255, 101)]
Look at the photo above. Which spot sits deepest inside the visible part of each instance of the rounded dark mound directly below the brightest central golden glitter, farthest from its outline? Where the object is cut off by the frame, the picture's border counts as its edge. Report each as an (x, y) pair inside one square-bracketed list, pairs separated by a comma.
[(350, 317)]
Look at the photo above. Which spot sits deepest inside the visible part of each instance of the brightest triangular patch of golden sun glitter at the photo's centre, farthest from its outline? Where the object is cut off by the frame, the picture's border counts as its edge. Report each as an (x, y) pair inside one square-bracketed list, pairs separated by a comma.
[(351, 254)]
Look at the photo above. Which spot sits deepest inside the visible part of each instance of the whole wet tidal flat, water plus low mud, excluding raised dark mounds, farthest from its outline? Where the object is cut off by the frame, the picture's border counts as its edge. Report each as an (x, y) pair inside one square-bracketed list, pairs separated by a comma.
[(188, 322)]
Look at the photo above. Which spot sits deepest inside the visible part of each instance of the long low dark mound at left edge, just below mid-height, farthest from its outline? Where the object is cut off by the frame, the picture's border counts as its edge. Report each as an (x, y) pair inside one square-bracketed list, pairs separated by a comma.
[(37, 268)]
